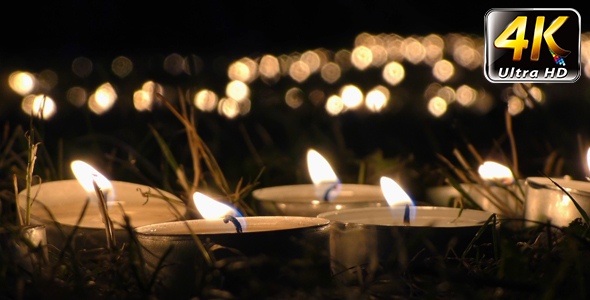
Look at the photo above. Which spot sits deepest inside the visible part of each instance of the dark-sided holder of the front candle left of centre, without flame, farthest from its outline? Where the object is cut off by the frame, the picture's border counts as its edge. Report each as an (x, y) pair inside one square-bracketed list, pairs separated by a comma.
[(277, 238)]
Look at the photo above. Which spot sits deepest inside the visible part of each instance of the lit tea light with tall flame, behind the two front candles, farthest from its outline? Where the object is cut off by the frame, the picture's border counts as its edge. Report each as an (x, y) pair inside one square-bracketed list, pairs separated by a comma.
[(325, 194)]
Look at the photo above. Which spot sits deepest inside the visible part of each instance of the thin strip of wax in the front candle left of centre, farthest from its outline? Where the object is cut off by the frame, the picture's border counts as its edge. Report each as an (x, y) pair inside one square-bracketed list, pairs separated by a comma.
[(217, 226)]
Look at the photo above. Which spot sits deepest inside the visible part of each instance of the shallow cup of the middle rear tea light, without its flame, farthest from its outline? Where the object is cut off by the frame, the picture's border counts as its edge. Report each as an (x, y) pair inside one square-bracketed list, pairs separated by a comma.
[(301, 200)]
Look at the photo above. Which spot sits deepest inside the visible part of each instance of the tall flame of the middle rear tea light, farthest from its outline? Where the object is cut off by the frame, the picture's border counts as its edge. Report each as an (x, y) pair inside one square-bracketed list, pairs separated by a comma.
[(326, 183)]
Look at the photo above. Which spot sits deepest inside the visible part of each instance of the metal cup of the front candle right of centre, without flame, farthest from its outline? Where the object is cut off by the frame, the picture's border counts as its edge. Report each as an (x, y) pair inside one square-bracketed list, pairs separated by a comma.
[(364, 238)]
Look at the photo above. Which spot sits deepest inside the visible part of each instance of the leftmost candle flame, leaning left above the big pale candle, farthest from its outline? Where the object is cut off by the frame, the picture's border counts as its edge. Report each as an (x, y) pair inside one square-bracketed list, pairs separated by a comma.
[(86, 174)]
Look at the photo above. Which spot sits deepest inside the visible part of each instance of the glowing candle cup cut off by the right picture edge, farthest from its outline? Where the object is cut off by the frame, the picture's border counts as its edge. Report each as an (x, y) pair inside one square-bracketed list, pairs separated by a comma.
[(547, 202)]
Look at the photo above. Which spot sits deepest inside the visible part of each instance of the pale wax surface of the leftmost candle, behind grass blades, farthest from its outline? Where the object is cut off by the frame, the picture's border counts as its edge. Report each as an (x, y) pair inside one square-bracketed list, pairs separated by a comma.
[(66, 199)]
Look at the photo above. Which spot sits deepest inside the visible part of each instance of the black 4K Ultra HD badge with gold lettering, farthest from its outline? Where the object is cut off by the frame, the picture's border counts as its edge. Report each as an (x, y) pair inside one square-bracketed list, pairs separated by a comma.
[(532, 45)]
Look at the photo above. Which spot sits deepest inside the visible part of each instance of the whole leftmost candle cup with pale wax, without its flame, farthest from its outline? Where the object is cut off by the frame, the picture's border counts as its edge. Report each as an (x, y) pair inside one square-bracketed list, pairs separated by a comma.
[(66, 199)]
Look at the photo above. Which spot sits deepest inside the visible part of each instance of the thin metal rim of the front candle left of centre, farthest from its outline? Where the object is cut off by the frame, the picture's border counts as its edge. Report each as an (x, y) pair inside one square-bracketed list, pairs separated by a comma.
[(144, 231)]
